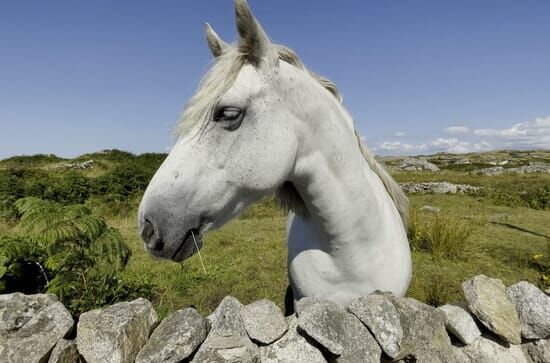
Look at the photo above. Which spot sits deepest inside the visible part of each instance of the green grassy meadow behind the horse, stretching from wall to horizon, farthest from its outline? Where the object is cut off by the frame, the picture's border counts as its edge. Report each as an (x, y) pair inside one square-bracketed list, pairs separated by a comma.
[(502, 231)]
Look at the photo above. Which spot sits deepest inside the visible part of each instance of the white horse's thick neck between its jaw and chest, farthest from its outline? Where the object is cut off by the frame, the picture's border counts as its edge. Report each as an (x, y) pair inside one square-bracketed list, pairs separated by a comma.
[(345, 198)]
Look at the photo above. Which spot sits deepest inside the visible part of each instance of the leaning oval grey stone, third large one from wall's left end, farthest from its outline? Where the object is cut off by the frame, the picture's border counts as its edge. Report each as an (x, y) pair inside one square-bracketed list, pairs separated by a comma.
[(176, 337)]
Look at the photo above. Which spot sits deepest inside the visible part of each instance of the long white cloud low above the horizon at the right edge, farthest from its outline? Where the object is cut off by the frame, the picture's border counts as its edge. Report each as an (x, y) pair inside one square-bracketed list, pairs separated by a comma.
[(531, 134)]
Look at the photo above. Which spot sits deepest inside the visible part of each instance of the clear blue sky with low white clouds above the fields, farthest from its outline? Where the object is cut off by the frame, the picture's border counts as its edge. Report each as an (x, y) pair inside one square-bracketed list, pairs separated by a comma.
[(418, 76)]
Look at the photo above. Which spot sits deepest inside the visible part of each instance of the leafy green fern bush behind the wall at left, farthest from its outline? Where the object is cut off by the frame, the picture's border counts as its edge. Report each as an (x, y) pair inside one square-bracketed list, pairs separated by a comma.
[(67, 251)]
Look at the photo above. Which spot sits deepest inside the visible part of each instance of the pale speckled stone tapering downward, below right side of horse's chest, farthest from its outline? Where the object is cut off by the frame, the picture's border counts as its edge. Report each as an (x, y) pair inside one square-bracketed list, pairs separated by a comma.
[(378, 313)]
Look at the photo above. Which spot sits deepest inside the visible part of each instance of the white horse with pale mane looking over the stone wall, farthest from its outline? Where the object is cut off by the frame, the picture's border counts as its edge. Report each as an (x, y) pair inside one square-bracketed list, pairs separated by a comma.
[(261, 123)]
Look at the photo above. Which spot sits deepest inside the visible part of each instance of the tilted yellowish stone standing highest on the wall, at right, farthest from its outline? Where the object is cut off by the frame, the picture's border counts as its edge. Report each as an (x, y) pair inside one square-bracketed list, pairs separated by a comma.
[(488, 301)]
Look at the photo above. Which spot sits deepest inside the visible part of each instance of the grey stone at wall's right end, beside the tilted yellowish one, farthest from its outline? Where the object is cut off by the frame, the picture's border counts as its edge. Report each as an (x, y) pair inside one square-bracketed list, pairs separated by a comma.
[(533, 308)]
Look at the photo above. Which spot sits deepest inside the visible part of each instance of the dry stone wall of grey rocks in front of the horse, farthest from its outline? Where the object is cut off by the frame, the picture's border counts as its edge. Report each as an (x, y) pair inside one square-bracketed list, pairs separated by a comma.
[(492, 324)]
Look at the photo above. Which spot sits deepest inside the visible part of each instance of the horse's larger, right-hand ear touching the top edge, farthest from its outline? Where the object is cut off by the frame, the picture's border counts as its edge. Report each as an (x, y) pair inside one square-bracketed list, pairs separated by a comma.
[(253, 41)]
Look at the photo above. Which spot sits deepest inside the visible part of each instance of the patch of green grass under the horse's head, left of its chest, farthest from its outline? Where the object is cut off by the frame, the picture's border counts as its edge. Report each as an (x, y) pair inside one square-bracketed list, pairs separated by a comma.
[(246, 259)]
